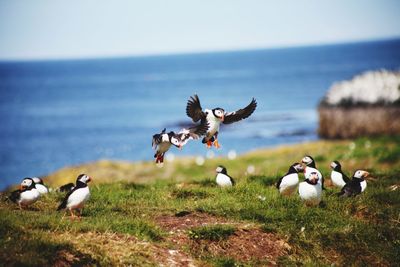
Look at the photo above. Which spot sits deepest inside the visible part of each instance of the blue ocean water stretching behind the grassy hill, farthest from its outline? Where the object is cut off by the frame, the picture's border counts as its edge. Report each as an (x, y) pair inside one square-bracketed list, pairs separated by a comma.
[(59, 113)]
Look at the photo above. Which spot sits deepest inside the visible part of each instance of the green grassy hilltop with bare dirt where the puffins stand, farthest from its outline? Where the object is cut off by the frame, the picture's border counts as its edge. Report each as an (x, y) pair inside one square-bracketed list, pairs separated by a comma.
[(143, 215)]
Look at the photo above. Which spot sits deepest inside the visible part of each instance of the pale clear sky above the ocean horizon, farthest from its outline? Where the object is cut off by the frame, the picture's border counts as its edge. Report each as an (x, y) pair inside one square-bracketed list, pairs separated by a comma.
[(39, 29)]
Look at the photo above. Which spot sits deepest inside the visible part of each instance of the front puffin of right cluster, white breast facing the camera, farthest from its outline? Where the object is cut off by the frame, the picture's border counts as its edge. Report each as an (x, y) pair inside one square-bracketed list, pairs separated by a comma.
[(310, 190)]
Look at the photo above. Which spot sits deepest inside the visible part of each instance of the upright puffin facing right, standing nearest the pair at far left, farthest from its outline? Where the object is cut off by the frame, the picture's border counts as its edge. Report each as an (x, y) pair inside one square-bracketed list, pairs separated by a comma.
[(76, 198)]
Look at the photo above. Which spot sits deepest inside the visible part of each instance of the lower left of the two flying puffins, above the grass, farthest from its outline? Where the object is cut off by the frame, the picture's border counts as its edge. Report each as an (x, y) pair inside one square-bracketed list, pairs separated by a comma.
[(162, 142)]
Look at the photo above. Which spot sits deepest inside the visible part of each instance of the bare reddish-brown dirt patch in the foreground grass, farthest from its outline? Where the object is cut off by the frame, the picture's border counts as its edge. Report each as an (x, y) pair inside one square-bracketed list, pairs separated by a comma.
[(248, 243)]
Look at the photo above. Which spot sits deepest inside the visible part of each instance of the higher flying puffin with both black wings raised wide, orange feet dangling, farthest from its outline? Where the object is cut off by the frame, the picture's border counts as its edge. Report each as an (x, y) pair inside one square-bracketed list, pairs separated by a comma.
[(215, 116)]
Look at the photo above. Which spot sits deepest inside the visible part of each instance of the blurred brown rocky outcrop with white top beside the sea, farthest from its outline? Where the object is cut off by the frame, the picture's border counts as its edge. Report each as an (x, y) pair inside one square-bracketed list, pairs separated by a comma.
[(369, 104)]
